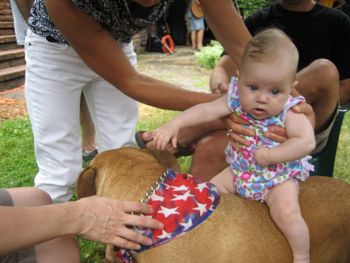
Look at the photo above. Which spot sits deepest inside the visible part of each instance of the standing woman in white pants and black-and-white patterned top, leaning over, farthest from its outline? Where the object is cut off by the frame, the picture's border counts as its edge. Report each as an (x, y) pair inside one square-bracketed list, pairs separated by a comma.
[(85, 46)]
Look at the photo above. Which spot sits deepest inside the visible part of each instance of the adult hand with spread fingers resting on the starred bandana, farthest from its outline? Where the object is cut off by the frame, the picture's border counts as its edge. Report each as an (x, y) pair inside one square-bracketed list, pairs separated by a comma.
[(108, 221)]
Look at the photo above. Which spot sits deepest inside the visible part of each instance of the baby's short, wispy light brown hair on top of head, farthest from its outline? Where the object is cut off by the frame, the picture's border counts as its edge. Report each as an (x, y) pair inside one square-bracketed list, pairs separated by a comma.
[(271, 44)]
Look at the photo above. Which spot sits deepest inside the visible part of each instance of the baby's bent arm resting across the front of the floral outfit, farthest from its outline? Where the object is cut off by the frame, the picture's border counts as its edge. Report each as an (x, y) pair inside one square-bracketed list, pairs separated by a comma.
[(300, 142)]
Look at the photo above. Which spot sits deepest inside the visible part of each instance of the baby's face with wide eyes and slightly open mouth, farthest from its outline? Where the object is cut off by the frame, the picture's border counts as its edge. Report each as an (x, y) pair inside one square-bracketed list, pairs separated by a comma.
[(264, 87)]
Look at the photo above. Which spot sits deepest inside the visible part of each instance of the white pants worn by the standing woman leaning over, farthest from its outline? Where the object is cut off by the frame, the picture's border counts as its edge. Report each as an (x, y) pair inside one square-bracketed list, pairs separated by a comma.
[(55, 79)]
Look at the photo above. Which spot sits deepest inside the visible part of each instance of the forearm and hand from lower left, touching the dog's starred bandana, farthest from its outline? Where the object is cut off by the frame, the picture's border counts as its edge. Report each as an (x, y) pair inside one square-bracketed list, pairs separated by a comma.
[(95, 218)]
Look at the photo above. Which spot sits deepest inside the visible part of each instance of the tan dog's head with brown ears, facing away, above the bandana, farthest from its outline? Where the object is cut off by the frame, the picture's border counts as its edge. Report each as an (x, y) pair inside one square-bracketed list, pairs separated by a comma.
[(124, 173)]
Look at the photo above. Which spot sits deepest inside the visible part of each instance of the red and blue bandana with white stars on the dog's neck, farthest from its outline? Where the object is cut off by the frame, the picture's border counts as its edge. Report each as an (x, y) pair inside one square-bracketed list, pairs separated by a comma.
[(180, 202)]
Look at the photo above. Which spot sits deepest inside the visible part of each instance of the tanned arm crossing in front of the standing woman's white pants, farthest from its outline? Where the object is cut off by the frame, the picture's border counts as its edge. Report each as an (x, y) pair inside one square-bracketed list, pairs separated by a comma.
[(102, 53)]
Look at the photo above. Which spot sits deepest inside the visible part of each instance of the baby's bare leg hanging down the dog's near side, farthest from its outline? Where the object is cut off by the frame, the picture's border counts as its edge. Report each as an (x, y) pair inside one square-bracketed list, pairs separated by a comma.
[(285, 211)]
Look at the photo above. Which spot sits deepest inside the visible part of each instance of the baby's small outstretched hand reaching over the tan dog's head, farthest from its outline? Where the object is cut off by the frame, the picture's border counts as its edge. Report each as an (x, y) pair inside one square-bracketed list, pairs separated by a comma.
[(164, 134)]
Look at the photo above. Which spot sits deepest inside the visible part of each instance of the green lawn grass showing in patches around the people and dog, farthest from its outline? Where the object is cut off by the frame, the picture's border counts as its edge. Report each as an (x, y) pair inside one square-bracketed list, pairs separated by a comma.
[(18, 167)]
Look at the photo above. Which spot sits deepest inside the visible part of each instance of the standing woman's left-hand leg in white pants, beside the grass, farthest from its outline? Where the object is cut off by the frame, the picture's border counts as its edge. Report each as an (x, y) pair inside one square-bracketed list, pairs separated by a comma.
[(53, 101)]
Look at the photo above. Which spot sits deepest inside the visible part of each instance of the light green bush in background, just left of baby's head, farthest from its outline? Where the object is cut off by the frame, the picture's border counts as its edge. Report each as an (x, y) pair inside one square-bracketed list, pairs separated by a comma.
[(209, 56)]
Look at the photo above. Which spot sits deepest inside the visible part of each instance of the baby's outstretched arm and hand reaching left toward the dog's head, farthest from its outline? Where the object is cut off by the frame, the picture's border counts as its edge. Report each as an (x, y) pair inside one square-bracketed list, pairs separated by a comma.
[(195, 115)]
